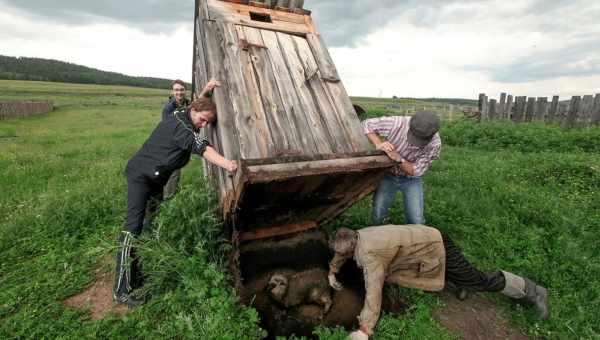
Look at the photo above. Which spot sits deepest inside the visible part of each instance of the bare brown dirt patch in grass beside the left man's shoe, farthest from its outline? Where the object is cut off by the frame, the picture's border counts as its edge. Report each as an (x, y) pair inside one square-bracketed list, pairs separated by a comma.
[(97, 298)]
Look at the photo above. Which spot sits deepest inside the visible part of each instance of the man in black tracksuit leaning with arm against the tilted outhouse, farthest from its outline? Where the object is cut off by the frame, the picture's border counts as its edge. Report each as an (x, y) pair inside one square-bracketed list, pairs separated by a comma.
[(168, 148)]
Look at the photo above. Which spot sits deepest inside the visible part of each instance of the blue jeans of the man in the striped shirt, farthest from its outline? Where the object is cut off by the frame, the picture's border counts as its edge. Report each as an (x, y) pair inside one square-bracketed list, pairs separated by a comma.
[(412, 190)]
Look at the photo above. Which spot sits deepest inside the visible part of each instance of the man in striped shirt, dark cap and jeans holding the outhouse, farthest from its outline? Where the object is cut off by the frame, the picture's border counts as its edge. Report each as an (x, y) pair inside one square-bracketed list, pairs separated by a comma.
[(416, 140)]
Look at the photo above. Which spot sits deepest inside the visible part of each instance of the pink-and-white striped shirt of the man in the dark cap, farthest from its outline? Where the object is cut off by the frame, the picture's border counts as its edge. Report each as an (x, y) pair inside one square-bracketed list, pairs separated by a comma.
[(395, 129)]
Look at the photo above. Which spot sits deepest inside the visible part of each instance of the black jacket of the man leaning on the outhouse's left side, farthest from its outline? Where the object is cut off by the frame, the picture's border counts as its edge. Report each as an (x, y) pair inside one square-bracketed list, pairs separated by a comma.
[(167, 149)]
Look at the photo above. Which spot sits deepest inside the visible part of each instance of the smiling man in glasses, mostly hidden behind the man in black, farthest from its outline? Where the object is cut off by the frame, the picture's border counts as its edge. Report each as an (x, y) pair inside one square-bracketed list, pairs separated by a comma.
[(179, 102)]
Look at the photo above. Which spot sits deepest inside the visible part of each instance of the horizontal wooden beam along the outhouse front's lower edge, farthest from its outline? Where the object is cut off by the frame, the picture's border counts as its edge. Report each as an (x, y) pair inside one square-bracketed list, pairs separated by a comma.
[(278, 172)]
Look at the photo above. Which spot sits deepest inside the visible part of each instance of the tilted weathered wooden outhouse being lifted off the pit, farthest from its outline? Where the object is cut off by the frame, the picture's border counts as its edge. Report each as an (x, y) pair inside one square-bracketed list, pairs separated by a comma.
[(284, 114)]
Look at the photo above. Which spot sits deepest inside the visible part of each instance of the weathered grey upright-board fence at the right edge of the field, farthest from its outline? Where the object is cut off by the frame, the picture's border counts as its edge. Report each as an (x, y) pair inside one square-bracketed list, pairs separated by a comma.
[(580, 111)]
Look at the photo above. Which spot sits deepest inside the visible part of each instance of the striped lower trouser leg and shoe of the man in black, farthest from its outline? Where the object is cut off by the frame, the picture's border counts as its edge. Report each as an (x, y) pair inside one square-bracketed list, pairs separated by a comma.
[(122, 289)]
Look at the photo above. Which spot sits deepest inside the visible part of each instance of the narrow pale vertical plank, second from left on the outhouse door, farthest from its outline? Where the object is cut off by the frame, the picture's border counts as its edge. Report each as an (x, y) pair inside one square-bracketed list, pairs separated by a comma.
[(291, 103)]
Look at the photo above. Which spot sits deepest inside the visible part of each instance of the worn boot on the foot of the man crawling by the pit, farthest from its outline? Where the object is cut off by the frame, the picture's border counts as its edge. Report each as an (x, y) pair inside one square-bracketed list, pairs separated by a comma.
[(524, 289)]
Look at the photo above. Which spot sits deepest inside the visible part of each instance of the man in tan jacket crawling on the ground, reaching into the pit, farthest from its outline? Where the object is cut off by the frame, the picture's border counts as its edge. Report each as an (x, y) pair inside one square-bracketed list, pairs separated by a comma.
[(417, 256)]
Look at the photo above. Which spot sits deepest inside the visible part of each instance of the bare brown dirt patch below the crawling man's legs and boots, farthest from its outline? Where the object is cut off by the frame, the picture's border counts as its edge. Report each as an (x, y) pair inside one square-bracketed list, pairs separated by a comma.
[(475, 319)]
